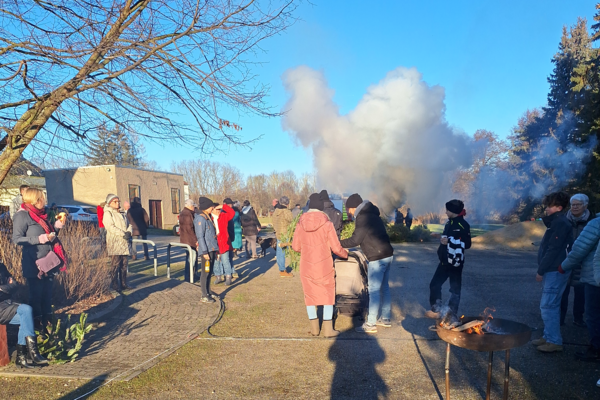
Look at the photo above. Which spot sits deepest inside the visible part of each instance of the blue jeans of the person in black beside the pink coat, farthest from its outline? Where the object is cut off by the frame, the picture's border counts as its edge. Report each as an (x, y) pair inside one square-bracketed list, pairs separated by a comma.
[(379, 289)]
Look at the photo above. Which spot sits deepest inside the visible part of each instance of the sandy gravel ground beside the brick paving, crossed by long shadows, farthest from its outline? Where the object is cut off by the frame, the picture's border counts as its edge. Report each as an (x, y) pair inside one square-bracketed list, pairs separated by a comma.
[(261, 347)]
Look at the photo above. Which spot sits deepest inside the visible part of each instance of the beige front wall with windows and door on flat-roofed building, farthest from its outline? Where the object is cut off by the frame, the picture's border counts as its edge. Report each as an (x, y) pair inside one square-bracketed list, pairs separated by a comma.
[(154, 185)]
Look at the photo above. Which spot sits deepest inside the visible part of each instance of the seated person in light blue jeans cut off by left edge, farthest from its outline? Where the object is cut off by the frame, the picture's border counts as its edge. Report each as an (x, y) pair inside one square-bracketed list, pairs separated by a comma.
[(19, 314)]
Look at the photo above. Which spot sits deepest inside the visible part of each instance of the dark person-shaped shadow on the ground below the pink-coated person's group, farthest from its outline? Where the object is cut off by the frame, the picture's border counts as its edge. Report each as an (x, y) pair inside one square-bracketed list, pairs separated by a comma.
[(355, 375)]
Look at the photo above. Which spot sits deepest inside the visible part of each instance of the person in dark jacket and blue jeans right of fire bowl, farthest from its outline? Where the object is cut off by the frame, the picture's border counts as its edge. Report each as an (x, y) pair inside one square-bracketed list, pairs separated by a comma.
[(554, 249)]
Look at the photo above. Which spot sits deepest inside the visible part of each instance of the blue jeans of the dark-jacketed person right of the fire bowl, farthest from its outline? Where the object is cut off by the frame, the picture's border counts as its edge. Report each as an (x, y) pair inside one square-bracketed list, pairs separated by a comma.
[(553, 286)]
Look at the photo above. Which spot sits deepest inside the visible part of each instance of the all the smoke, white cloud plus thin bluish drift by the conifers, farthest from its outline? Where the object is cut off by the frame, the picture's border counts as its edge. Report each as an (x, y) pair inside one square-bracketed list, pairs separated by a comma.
[(396, 147)]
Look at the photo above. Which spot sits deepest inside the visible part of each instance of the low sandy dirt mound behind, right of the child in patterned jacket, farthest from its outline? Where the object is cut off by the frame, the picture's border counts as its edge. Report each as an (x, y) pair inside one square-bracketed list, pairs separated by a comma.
[(515, 237)]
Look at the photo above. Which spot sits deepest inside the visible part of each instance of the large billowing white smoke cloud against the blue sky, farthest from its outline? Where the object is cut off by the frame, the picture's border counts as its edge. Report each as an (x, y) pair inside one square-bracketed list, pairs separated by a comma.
[(394, 147)]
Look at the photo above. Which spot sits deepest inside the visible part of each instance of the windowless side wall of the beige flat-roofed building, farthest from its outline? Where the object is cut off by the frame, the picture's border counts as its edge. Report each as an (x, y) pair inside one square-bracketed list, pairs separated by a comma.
[(86, 185)]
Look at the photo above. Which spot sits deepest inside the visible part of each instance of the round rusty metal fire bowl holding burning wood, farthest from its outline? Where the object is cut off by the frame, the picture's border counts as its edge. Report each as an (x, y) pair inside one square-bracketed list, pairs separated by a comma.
[(514, 335)]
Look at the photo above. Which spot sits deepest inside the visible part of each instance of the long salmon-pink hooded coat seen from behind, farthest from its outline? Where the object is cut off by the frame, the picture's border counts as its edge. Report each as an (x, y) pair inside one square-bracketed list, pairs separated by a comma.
[(315, 239)]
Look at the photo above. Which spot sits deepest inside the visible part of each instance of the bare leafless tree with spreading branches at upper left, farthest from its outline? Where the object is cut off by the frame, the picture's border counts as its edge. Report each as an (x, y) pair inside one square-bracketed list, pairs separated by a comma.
[(67, 67)]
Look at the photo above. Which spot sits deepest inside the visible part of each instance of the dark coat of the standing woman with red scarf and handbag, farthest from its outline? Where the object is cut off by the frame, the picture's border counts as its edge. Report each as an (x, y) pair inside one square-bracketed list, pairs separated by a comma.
[(26, 233)]
